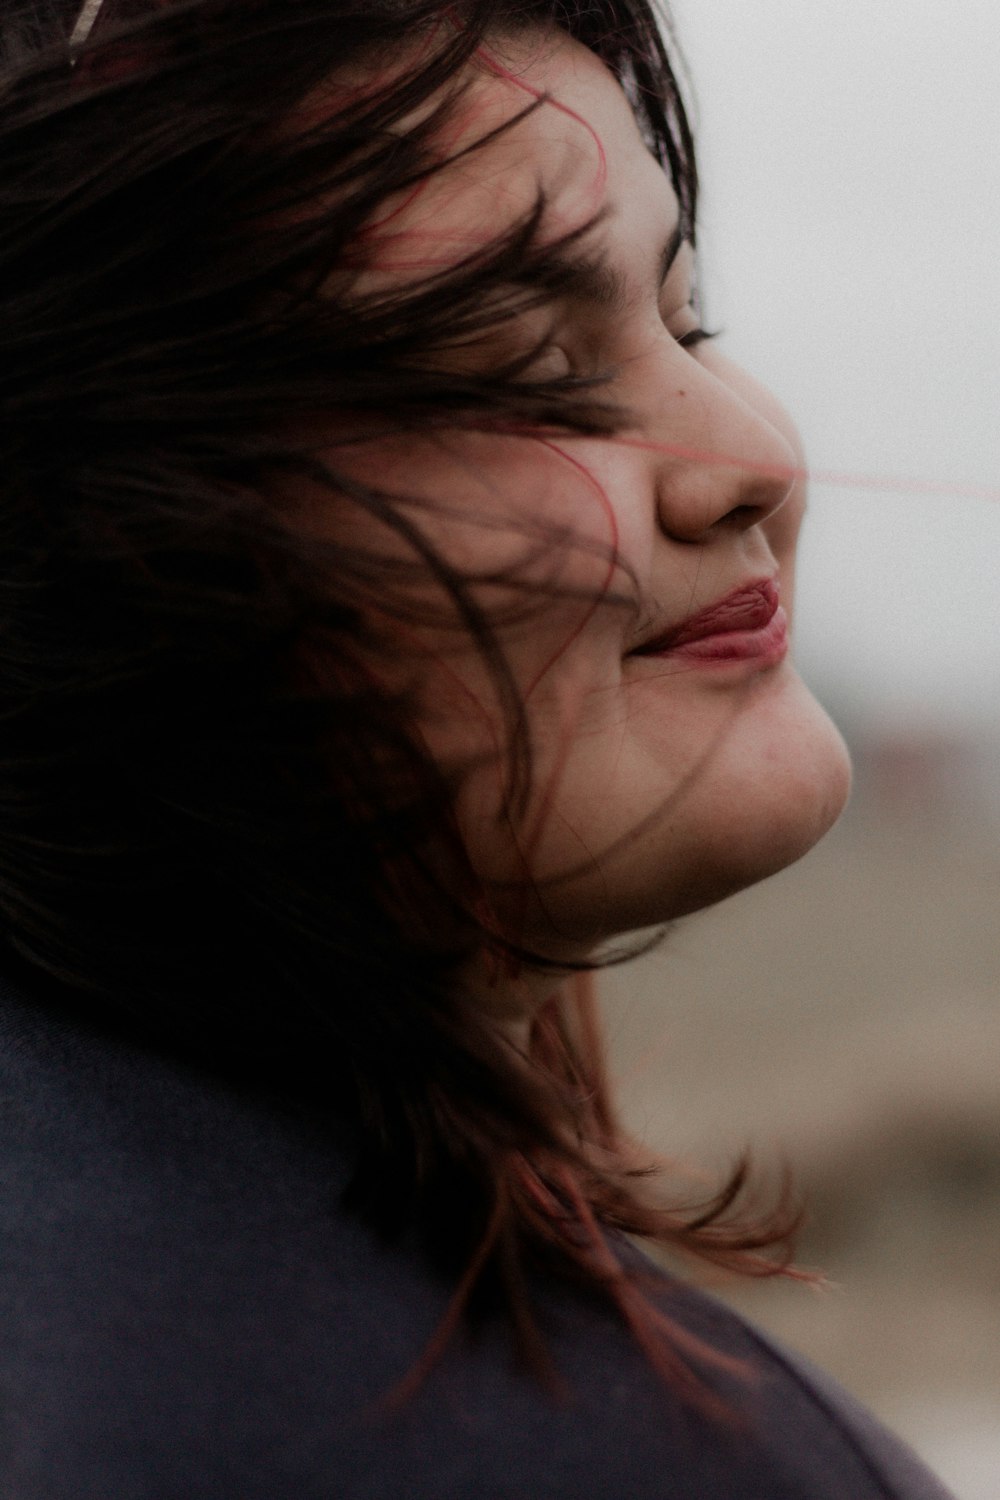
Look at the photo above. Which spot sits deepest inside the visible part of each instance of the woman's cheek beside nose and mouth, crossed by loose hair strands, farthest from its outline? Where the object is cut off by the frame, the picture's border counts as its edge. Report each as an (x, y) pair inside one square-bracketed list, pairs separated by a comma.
[(500, 559)]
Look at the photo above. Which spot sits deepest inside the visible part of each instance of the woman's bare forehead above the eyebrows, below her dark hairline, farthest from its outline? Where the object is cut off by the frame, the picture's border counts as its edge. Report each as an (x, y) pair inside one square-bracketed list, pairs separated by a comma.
[(537, 116)]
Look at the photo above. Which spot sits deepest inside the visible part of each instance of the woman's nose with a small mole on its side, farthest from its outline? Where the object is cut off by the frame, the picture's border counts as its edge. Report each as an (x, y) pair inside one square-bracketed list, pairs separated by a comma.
[(723, 451)]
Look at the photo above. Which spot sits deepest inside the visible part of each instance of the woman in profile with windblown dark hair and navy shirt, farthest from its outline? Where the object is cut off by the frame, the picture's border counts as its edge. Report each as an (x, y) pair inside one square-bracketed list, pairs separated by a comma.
[(397, 596)]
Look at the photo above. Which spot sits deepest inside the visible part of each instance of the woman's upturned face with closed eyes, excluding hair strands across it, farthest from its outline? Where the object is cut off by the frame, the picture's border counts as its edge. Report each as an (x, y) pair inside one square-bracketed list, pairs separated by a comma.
[(639, 586)]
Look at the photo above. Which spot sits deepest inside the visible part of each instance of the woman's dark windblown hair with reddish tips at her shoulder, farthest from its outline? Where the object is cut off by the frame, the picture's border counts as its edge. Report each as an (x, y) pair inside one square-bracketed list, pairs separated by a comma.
[(218, 826)]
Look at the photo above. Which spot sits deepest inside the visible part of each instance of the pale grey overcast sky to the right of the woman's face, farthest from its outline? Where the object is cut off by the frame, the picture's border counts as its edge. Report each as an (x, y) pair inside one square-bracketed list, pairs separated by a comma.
[(851, 157)]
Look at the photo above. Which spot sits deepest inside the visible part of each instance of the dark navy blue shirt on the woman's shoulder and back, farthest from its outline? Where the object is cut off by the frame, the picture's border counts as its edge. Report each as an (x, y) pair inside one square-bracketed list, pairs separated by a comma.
[(188, 1315)]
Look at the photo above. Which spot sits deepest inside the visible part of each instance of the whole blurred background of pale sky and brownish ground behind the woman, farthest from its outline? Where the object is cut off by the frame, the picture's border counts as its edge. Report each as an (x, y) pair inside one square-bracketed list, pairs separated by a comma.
[(846, 1015)]
